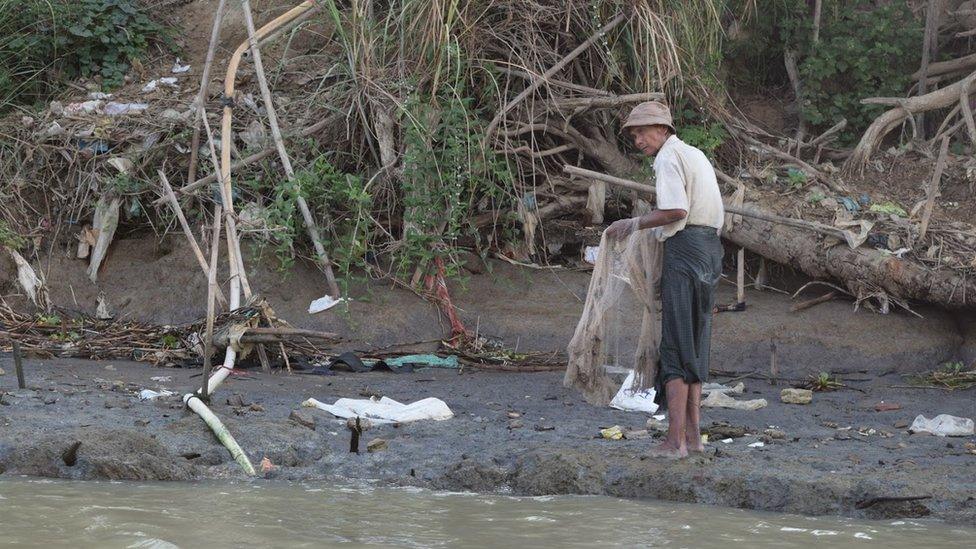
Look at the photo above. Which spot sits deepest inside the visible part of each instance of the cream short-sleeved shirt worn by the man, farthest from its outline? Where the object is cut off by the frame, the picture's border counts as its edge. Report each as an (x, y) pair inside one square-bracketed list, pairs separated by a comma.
[(685, 180)]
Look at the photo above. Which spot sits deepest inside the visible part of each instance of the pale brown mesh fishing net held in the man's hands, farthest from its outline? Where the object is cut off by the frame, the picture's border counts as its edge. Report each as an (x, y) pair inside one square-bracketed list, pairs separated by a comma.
[(634, 264)]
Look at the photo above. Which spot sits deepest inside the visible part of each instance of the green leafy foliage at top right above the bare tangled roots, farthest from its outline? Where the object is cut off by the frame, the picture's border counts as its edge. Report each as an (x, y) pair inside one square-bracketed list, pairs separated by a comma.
[(864, 50)]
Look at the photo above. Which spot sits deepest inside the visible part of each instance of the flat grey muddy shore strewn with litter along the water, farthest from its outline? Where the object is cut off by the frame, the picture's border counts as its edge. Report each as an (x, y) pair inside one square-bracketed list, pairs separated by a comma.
[(820, 467)]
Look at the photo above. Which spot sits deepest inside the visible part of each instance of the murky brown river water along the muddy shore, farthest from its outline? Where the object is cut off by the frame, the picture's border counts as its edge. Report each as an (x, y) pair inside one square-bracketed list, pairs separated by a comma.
[(46, 513)]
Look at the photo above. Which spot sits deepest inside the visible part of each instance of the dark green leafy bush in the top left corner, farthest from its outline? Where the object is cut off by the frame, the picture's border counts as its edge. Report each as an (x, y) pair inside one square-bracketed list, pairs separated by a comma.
[(43, 42)]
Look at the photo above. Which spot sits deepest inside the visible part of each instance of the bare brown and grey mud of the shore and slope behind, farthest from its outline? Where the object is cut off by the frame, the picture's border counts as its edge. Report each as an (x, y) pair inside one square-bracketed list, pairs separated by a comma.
[(820, 467)]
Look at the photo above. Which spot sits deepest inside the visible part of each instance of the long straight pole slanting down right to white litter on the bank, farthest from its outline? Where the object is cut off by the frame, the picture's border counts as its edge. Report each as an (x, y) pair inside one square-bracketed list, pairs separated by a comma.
[(313, 232)]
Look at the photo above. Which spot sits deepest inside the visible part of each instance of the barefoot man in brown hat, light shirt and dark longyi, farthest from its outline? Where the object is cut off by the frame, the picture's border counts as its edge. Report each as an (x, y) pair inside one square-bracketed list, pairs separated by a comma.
[(690, 214)]
